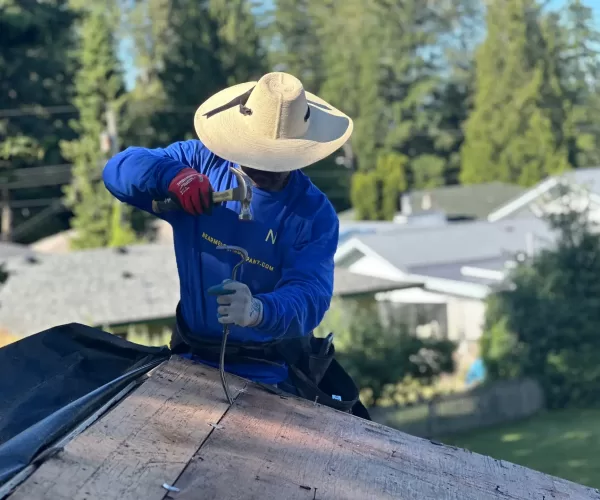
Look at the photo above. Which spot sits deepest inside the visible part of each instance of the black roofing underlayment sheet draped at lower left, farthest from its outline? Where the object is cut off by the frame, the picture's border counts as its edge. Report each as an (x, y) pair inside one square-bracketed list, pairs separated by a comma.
[(51, 381)]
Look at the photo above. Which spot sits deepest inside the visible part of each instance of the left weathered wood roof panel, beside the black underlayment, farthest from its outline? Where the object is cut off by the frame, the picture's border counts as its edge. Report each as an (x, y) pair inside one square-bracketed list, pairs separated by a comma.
[(143, 442)]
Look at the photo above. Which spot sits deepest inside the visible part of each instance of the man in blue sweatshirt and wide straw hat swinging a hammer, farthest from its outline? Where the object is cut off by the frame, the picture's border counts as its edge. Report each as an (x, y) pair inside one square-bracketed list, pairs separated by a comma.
[(270, 129)]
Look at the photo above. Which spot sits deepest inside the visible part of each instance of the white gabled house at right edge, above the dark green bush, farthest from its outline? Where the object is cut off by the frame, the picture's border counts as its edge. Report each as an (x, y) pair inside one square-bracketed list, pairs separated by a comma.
[(584, 186)]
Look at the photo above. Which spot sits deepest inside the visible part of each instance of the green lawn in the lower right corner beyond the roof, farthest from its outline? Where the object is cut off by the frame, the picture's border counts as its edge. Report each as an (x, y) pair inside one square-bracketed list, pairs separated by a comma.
[(562, 443)]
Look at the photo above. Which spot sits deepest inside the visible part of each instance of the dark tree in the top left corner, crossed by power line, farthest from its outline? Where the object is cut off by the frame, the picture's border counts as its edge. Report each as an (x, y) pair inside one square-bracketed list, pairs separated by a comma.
[(35, 70)]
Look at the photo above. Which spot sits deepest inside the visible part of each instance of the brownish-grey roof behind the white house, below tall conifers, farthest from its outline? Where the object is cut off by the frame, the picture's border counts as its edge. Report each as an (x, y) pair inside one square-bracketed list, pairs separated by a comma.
[(472, 201)]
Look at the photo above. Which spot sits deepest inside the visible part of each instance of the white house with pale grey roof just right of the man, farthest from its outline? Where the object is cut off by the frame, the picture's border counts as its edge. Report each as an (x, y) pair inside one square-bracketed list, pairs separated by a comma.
[(458, 265)]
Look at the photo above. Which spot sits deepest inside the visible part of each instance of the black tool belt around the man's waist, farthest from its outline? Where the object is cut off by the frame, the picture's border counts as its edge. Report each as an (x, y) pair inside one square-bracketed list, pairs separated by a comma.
[(316, 377)]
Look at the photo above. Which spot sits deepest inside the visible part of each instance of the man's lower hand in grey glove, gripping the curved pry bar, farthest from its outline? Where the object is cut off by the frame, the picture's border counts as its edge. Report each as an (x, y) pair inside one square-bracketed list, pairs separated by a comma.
[(236, 304)]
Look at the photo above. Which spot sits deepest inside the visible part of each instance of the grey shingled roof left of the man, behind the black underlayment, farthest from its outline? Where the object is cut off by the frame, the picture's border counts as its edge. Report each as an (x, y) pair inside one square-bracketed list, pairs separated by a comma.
[(97, 287)]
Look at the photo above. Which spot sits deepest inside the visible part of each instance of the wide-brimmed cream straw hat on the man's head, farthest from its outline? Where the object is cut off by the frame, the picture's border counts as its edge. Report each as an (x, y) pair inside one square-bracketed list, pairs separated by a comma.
[(272, 125)]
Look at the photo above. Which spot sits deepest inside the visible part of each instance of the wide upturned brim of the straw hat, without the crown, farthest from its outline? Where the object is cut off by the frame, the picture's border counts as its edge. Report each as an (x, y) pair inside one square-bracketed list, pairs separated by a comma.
[(228, 135)]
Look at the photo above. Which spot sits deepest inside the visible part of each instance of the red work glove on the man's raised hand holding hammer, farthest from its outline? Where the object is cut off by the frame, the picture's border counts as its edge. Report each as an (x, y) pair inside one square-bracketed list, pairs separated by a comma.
[(193, 192)]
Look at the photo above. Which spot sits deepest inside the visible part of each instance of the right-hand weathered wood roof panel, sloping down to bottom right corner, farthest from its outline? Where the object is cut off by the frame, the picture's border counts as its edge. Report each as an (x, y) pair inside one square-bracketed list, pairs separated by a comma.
[(270, 449)]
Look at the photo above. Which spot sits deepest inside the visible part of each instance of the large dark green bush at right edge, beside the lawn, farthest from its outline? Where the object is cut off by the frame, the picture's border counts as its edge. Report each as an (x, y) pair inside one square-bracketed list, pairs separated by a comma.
[(546, 324)]
